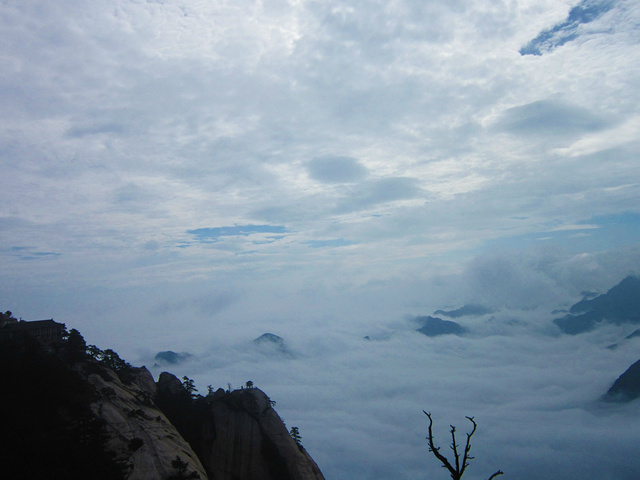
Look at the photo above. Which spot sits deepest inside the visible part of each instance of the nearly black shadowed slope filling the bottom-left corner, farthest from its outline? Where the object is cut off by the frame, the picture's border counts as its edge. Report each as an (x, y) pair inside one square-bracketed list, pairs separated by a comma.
[(48, 426)]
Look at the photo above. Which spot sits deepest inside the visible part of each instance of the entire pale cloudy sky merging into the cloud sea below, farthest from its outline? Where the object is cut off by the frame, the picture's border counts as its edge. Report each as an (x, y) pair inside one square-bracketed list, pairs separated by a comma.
[(188, 175)]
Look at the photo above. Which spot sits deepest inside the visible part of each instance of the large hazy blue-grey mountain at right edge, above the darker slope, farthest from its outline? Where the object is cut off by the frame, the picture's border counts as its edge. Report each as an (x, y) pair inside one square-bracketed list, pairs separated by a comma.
[(619, 305)]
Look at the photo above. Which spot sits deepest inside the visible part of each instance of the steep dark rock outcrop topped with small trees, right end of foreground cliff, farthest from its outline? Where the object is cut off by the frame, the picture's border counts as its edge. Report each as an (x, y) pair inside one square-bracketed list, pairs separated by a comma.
[(236, 434)]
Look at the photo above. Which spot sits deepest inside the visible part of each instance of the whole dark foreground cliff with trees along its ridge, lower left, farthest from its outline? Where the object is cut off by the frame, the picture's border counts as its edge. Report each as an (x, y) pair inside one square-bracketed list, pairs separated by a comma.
[(77, 412)]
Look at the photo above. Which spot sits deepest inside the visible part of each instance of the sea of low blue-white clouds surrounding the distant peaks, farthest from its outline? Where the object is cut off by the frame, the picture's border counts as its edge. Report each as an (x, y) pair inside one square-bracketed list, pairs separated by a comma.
[(358, 402)]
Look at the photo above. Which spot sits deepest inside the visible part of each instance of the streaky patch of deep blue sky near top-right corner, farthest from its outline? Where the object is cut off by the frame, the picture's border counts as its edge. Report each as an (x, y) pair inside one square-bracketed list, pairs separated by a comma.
[(585, 12)]
